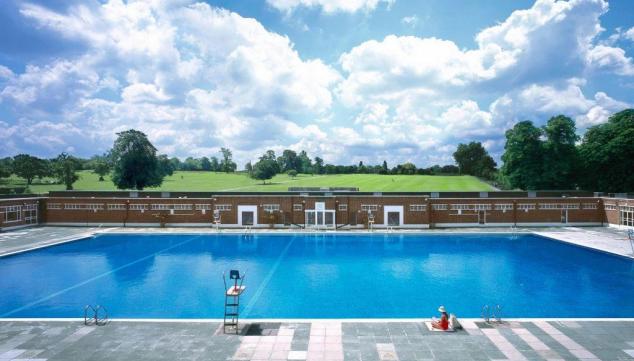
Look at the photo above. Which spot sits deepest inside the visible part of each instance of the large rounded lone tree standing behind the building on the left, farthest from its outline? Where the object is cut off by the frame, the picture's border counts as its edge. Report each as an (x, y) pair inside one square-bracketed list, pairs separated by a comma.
[(136, 165)]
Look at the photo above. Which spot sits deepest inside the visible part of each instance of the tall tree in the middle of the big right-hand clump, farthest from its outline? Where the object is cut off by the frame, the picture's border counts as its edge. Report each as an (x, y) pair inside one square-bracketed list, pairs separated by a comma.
[(560, 156)]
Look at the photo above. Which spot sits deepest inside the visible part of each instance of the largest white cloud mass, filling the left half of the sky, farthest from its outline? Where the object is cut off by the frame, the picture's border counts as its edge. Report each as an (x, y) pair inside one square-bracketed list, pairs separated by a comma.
[(192, 77)]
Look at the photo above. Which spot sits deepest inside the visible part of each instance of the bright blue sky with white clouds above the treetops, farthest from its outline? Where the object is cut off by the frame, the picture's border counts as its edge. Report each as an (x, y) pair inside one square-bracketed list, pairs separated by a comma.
[(346, 80)]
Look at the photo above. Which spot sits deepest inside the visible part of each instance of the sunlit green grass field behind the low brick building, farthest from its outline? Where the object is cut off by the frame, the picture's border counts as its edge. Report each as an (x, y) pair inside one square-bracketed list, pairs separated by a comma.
[(209, 181)]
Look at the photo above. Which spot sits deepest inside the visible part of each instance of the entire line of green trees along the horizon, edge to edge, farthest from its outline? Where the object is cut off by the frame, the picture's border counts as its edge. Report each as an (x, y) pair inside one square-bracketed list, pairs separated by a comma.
[(548, 157)]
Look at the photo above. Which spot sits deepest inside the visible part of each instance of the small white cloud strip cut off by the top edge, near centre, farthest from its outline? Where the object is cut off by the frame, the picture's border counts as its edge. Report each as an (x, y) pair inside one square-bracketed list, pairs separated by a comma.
[(329, 6)]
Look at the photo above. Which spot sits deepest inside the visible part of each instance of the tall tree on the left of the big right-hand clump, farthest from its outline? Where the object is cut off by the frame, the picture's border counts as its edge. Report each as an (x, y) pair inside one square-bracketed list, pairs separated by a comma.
[(523, 156)]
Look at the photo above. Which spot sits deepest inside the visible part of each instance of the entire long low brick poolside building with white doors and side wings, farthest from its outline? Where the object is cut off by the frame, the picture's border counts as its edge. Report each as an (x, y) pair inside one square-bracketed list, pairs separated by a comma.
[(340, 210)]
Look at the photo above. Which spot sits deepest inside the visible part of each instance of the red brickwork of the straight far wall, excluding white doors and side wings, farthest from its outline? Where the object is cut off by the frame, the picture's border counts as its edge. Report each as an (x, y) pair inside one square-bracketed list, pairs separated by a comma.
[(588, 210)]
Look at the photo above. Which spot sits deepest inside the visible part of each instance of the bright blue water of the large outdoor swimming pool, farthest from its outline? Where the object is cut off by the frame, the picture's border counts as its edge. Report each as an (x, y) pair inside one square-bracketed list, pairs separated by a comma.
[(317, 276)]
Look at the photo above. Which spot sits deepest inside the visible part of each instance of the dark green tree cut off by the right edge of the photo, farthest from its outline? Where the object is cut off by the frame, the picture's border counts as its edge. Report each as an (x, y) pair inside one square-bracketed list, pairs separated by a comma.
[(607, 154)]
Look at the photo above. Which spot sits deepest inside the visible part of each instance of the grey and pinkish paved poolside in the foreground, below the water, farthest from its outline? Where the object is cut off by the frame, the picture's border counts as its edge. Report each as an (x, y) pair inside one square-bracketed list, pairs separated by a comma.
[(320, 340)]
